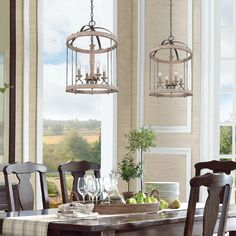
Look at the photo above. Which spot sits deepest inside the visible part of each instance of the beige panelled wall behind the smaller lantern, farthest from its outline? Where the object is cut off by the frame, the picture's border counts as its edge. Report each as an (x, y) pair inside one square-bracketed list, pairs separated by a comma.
[(158, 112)]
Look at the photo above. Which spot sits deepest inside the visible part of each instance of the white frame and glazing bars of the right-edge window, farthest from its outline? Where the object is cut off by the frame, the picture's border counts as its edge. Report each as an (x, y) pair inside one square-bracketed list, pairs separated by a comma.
[(210, 83)]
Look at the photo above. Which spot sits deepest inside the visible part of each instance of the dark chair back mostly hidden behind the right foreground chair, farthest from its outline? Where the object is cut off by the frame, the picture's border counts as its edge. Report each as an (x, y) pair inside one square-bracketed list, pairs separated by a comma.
[(216, 167)]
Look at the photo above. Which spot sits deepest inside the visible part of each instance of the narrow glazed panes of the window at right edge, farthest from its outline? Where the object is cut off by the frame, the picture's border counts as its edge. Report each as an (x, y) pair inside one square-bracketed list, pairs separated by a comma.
[(227, 89)]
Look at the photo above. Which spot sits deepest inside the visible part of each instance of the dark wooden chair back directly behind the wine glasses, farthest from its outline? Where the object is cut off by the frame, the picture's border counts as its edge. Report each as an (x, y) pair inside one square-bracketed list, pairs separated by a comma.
[(77, 169)]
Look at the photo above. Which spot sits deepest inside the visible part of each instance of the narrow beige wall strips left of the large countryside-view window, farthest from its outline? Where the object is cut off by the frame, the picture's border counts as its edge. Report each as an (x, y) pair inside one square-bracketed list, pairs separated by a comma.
[(20, 73)]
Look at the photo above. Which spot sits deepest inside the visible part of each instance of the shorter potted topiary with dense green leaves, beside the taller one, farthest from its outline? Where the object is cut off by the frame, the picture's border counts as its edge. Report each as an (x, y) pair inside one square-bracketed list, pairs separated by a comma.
[(128, 170)]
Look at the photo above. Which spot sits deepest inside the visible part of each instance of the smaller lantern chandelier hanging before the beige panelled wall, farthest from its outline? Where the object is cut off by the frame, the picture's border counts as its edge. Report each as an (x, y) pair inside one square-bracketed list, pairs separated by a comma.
[(175, 56)]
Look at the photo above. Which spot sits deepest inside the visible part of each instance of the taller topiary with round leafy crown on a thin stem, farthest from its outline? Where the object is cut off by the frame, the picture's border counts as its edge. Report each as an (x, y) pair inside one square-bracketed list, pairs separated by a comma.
[(140, 140)]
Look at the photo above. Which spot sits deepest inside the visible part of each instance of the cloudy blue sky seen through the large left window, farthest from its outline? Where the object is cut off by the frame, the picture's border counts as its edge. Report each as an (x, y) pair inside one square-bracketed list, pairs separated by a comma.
[(60, 19)]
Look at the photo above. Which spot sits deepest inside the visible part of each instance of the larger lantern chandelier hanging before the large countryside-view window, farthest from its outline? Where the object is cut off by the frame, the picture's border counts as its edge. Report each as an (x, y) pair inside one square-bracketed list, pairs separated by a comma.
[(93, 81)]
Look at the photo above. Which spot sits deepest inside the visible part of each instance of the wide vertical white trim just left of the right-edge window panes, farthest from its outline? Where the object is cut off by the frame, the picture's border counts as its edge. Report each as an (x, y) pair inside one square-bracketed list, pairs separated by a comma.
[(209, 88)]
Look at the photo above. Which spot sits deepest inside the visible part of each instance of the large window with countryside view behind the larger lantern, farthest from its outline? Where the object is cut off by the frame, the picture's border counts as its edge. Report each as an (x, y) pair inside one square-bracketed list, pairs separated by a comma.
[(75, 127)]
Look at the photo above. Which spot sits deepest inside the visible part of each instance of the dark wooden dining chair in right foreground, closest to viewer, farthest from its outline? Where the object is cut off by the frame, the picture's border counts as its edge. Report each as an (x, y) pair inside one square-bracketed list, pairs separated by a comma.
[(214, 183)]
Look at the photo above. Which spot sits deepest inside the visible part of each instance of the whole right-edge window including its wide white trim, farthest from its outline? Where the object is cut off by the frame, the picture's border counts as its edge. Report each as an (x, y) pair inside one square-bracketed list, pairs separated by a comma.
[(219, 80)]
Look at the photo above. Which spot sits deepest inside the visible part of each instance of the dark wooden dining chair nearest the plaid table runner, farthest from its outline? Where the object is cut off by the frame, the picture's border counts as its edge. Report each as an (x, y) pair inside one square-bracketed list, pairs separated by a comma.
[(23, 172)]
